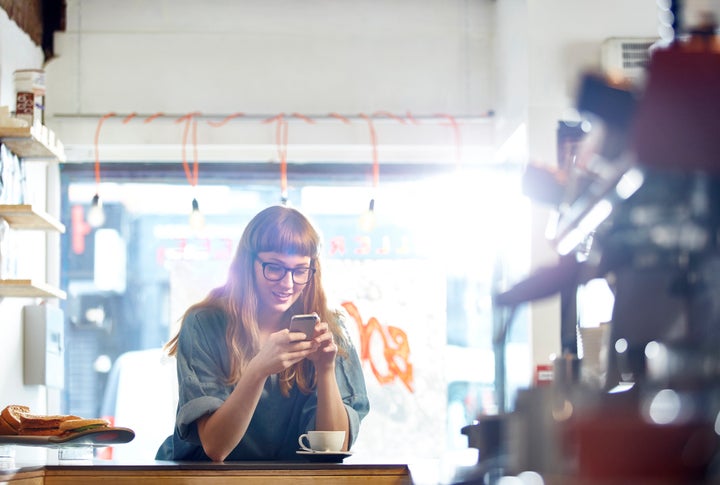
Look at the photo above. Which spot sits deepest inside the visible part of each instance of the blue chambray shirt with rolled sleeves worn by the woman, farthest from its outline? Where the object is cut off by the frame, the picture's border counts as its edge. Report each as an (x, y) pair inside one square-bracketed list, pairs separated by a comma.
[(203, 363)]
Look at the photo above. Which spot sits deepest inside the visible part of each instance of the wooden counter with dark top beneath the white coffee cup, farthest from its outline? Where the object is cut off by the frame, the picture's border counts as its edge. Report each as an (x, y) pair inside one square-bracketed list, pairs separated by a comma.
[(252, 473)]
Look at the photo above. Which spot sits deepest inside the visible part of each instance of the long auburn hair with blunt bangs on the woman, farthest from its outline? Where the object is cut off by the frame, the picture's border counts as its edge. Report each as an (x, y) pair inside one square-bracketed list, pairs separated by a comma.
[(275, 229)]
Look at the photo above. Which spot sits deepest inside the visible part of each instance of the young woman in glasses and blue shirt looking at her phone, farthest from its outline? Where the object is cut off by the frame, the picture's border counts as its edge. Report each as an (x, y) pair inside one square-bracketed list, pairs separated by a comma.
[(248, 387)]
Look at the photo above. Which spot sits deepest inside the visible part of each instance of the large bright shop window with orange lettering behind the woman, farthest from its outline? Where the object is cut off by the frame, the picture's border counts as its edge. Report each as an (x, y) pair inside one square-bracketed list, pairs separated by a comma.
[(418, 285)]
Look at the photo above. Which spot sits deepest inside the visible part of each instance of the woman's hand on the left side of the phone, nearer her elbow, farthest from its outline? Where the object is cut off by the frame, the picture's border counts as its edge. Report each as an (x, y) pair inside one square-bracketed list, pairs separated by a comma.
[(280, 351)]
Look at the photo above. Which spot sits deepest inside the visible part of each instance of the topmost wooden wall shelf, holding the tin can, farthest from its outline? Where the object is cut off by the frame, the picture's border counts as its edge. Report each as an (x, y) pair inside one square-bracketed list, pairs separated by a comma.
[(33, 143)]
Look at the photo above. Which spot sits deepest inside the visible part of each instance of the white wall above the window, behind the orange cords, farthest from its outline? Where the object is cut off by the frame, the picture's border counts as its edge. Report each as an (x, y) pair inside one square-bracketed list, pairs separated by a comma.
[(279, 56)]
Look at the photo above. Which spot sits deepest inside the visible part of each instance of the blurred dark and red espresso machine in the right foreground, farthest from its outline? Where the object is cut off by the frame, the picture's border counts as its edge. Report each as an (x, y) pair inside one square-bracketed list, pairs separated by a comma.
[(638, 205)]
